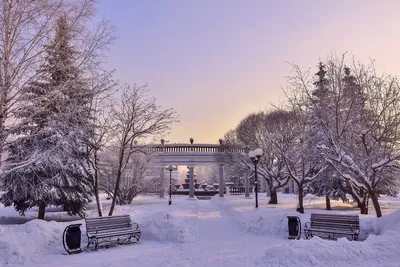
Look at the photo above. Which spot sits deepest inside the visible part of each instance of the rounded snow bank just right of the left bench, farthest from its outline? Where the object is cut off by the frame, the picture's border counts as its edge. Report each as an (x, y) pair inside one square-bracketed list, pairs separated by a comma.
[(161, 226)]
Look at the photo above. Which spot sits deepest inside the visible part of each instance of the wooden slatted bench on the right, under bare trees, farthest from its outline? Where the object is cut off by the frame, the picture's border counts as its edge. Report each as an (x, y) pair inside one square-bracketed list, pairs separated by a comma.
[(333, 226)]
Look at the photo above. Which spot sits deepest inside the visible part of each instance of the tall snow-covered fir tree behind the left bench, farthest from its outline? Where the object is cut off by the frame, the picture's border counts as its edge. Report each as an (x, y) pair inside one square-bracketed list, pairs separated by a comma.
[(44, 163)]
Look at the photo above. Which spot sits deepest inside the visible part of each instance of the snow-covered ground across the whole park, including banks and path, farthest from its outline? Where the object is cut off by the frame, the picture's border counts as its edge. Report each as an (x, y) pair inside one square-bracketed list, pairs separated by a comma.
[(216, 232)]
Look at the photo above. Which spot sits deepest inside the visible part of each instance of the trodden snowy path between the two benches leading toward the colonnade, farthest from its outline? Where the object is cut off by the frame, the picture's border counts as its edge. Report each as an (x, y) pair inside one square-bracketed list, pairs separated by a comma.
[(220, 241)]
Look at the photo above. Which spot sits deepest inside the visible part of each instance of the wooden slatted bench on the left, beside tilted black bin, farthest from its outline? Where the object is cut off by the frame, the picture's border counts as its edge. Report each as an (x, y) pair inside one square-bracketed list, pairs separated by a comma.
[(111, 229)]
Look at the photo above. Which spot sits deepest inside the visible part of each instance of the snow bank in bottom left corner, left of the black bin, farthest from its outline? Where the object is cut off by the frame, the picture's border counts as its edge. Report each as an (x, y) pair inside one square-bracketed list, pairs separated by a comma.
[(29, 242)]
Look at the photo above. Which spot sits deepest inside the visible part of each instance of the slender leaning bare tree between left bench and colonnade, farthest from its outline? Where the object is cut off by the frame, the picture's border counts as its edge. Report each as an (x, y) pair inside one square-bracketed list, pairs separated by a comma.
[(136, 117)]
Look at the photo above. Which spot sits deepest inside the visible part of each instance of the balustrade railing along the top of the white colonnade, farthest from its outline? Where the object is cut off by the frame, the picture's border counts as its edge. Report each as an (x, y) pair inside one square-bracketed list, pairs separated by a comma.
[(196, 148)]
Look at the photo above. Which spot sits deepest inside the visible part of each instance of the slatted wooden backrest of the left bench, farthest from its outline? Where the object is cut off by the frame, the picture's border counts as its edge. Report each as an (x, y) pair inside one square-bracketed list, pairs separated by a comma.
[(108, 223)]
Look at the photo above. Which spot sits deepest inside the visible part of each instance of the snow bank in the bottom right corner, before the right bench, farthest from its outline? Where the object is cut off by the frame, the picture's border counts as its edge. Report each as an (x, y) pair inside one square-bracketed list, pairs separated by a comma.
[(381, 250)]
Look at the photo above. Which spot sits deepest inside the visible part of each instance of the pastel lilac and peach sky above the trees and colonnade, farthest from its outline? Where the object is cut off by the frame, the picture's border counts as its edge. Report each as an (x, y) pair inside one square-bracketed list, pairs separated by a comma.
[(215, 61)]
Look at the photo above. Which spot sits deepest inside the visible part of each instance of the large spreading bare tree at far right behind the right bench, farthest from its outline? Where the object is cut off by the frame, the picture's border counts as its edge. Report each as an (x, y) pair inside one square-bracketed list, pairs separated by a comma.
[(357, 116)]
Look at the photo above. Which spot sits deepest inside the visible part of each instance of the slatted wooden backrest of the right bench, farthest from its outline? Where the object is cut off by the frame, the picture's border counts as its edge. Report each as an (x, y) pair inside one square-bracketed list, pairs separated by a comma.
[(335, 221)]
